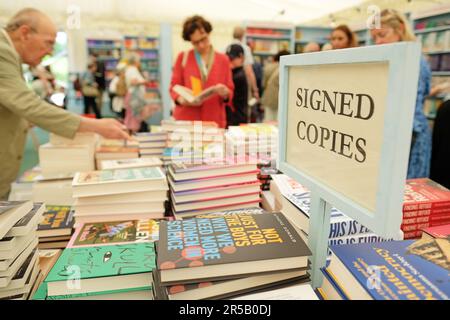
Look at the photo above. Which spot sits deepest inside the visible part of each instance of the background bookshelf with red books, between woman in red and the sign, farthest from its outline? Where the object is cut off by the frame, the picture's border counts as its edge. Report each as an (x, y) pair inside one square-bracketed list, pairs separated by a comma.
[(268, 39)]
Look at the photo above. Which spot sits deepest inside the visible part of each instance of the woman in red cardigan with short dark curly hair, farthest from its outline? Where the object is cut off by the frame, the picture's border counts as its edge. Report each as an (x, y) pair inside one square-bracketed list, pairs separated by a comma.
[(210, 67)]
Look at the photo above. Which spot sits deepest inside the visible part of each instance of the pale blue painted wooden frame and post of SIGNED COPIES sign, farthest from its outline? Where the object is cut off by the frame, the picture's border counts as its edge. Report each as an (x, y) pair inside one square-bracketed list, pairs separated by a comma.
[(403, 59)]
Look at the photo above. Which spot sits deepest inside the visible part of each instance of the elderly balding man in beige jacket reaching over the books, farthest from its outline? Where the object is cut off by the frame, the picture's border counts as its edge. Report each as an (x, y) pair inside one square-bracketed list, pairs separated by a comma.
[(28, 37)]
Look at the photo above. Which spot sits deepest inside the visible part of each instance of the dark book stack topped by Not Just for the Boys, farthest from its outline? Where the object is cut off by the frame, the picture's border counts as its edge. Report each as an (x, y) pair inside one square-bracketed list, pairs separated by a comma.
[(220, 256)]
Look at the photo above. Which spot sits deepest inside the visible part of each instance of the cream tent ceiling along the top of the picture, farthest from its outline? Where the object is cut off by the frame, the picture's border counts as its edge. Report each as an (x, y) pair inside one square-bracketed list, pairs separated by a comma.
[(292, 11)]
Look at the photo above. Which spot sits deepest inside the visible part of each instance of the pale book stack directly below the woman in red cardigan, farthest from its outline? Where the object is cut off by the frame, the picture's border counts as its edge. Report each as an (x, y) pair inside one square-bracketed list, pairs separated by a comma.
[(192, 141)]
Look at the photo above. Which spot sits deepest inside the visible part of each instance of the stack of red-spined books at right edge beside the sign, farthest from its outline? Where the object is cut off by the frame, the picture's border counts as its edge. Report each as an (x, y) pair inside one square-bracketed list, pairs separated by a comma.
[(426, 204)]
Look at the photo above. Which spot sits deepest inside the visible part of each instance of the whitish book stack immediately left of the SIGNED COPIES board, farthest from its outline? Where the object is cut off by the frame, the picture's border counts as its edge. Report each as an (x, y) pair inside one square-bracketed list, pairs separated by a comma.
[(258, 141)]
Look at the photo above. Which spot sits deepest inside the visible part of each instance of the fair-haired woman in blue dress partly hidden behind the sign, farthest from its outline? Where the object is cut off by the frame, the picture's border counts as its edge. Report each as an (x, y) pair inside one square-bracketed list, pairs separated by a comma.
[(395, 28)]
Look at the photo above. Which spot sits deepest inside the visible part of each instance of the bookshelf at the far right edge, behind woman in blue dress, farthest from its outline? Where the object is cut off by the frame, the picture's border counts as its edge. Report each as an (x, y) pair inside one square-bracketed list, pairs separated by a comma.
[(433, 31)]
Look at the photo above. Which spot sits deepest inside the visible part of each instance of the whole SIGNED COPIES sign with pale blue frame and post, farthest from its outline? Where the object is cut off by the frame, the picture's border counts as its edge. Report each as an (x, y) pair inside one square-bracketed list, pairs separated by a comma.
[(367, 186)]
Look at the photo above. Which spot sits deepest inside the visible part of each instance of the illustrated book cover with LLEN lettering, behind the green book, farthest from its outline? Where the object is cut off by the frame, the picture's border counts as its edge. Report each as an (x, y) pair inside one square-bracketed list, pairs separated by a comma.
[(120, 232)]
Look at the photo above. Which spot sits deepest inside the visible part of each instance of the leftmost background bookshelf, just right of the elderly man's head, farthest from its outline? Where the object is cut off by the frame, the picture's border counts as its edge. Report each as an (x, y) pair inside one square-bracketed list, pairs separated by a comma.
[(109, 51)]
